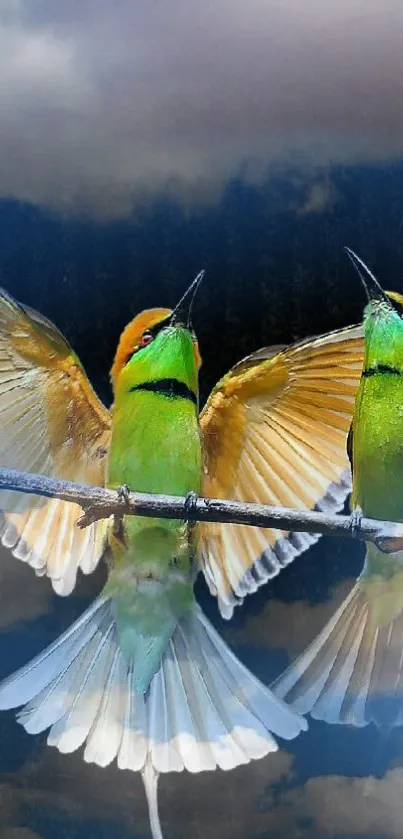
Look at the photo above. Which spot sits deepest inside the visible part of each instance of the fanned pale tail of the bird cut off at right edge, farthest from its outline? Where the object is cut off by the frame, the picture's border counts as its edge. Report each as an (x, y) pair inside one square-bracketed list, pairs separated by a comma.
[(353, 671)]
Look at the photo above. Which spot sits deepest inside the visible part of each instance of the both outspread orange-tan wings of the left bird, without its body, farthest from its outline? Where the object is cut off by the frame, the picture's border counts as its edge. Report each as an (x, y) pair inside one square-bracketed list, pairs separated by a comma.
[(274, 431)]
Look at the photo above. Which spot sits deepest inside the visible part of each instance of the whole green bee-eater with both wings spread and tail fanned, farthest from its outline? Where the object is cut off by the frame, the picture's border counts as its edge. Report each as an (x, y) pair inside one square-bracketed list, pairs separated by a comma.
[(142, 676)]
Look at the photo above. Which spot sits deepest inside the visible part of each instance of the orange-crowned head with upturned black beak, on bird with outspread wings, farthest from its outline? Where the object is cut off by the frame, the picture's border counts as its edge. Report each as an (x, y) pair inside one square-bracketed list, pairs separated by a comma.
[(159, 344)]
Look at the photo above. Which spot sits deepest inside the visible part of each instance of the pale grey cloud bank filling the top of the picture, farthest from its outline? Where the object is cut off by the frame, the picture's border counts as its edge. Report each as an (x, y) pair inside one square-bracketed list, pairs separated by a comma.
[(102, 103)]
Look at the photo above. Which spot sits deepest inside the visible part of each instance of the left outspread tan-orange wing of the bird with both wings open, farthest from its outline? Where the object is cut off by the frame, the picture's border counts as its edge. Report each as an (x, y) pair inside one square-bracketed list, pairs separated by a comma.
[(52, 423)]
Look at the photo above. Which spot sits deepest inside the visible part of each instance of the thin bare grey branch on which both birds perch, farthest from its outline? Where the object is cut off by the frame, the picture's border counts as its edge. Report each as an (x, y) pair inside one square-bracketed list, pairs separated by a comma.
[(98, 503)]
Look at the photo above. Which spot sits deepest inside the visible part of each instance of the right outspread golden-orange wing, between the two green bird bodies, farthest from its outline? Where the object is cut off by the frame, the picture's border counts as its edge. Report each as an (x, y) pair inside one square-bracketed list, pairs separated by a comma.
[(274, 432)]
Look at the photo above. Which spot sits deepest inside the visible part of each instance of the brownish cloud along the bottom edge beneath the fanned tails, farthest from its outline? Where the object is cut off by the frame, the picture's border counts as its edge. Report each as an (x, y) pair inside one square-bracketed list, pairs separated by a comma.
[(243, 802)]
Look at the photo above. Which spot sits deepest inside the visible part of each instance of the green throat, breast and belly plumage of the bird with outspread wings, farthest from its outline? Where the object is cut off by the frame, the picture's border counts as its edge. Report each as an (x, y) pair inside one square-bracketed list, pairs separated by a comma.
[(155, 447)]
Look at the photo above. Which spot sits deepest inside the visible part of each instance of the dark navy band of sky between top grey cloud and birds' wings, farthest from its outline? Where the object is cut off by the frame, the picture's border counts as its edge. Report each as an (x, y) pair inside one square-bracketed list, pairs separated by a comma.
[(275, 271)]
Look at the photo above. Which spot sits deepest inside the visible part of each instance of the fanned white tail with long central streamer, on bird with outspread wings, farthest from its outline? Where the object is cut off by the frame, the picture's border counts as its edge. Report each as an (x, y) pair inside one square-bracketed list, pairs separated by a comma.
[(203, 709)]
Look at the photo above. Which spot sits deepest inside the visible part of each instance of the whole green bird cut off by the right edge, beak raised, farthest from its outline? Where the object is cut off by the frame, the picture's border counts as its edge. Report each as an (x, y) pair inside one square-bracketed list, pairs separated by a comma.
[(352, 672)]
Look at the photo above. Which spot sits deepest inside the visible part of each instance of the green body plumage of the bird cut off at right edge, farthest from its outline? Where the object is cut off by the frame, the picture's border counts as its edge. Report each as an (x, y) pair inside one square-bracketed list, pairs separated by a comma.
[(377, 433)]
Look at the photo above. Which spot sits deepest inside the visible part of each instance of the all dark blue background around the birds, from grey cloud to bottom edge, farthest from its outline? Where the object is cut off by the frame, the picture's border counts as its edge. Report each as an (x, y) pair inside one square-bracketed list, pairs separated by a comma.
[(275, 272)]
